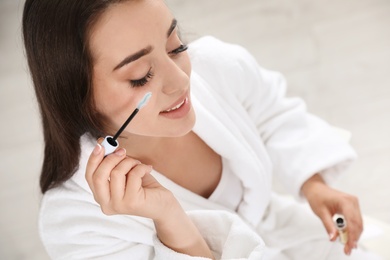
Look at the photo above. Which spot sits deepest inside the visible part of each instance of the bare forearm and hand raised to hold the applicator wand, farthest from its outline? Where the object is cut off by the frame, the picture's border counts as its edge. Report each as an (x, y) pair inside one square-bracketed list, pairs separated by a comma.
[(122, 185)]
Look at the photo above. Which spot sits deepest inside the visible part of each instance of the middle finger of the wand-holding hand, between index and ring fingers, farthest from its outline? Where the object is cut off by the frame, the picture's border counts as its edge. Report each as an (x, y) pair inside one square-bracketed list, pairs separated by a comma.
[(100, 177)]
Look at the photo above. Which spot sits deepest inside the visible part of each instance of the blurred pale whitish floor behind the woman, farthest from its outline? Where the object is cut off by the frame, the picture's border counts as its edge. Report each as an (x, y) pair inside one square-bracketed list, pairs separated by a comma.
[(335, 54)]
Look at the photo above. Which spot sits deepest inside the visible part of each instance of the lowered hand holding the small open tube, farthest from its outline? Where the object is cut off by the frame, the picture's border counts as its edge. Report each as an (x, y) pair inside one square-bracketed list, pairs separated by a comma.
[(325, 202)]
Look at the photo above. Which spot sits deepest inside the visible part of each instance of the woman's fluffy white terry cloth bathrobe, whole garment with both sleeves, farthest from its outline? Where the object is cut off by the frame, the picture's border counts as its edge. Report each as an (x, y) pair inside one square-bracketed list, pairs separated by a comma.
[(242, 114)]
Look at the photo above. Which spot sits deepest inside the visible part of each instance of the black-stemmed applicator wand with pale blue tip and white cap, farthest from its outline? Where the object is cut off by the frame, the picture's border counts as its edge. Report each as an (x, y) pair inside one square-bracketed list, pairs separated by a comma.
[(110, 143)]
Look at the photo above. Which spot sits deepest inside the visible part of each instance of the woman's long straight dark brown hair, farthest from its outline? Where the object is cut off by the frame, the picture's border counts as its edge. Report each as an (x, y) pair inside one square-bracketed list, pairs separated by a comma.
[(55, 34)]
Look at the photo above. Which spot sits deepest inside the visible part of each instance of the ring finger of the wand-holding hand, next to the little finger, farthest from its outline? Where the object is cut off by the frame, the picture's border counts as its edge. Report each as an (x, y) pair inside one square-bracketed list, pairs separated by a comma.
[(118, 177)]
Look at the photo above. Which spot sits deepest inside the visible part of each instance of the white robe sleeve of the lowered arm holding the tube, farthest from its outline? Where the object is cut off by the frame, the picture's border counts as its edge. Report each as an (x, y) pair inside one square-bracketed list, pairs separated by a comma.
[(298, 143)]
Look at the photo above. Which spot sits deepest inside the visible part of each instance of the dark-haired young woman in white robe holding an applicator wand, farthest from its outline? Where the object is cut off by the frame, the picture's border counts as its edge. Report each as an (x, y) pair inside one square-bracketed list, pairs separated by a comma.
[(192, 176)]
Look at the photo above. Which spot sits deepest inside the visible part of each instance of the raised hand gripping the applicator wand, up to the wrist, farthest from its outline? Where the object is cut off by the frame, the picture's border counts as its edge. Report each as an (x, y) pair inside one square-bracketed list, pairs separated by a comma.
[(123, 185)]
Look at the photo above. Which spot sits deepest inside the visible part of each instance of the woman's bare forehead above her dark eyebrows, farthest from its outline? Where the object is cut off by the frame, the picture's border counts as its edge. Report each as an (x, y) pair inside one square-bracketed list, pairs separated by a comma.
[(128, 27)]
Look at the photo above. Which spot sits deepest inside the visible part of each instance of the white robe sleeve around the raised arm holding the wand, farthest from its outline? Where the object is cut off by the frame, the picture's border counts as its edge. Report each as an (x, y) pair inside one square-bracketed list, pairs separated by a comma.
[(72, 226)]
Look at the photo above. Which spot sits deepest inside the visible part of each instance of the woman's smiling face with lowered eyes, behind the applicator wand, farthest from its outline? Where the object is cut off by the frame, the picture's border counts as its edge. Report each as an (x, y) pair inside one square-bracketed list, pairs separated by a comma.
[(136, 49)]
